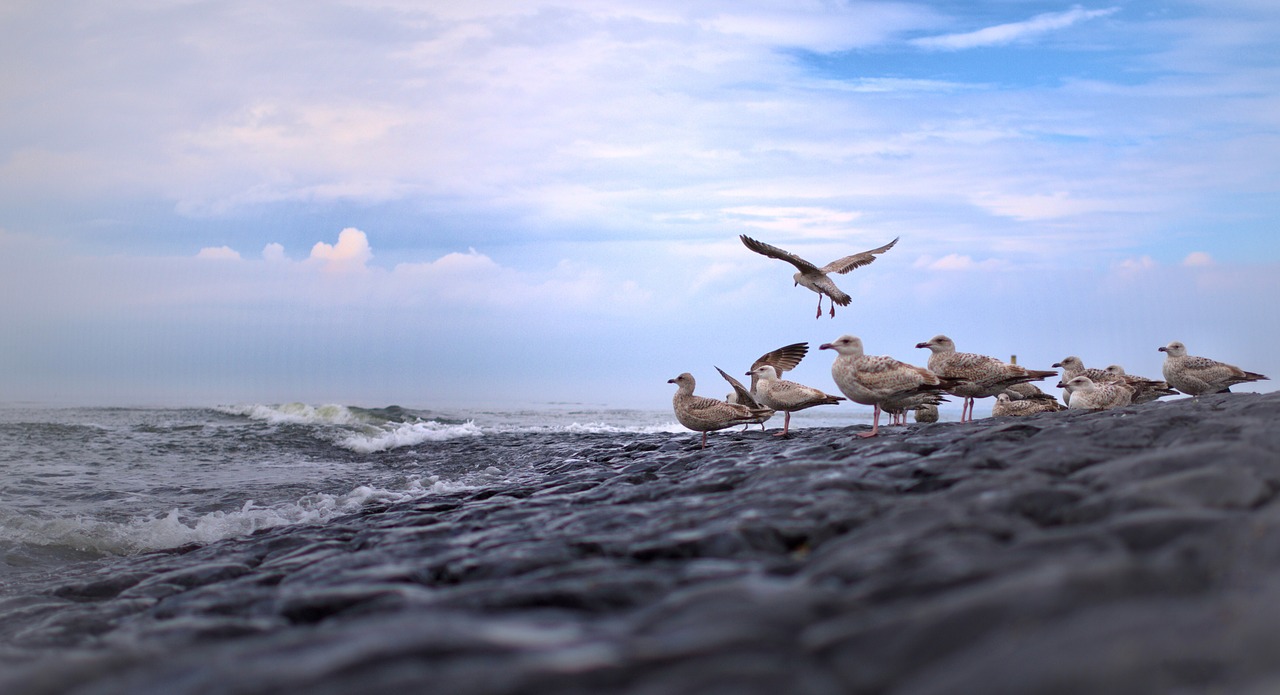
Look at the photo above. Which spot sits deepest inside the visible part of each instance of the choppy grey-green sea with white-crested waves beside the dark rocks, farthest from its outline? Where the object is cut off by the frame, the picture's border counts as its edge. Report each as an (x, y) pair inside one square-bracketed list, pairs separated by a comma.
[(84, 484)]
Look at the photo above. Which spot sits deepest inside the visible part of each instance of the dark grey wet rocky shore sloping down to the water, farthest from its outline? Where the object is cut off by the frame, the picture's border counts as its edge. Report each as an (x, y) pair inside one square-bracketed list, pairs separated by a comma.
[(1131, 551)]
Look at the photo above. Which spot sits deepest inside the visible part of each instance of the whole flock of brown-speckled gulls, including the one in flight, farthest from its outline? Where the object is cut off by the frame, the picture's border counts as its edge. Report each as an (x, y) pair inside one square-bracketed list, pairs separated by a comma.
[(897, 387)]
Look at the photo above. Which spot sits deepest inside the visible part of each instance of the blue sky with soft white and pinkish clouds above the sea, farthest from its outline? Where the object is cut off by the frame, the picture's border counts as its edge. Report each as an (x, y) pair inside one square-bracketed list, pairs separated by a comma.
[(511, 204)]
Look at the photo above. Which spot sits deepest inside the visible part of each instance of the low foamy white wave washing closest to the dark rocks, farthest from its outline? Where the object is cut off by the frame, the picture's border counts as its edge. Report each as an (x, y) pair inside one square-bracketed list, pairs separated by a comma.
[(179, 528)]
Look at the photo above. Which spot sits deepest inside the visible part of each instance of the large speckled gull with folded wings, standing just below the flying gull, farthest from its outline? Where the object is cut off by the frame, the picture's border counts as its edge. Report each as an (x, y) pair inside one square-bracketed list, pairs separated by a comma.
[(880, 381)]
